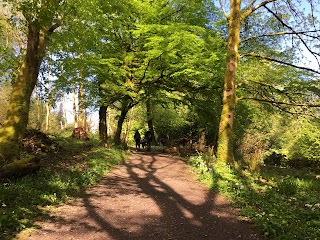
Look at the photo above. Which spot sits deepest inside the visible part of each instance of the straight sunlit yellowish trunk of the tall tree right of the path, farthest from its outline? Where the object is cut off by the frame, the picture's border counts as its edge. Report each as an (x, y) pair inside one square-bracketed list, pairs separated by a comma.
[(225, 141)]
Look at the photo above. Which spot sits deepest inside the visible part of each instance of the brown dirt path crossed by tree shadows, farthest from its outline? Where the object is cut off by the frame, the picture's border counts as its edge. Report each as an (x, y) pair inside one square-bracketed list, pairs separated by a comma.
[(151, 196)]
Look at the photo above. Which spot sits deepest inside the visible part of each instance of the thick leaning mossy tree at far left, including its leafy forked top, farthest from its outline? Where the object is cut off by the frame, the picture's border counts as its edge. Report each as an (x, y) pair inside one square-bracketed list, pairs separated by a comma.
[(41, 20)]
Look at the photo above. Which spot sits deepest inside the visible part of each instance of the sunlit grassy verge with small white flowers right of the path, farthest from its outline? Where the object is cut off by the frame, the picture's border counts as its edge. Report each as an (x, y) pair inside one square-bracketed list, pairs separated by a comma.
[(282, 203)]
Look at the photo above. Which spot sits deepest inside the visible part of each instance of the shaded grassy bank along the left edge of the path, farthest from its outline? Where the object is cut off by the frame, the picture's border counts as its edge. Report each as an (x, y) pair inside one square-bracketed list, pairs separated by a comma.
[(62, 176)]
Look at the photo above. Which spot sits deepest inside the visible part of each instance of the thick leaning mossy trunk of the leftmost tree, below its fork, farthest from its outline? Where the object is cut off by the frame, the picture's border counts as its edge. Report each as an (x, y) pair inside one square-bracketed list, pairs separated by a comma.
[(16, 121)]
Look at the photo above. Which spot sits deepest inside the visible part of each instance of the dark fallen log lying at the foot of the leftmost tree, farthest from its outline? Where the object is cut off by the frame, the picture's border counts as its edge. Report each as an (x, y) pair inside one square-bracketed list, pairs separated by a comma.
[(20, 168)]
